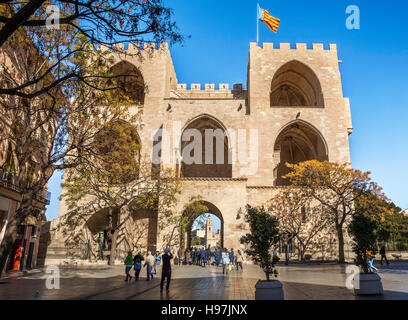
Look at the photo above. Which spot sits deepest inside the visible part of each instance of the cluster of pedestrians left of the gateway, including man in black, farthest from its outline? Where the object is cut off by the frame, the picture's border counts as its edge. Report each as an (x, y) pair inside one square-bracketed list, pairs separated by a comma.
[(152, 263)]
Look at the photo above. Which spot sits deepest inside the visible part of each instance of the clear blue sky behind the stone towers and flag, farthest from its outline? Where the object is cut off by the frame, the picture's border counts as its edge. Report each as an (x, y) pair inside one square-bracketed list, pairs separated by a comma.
[(374, 68)]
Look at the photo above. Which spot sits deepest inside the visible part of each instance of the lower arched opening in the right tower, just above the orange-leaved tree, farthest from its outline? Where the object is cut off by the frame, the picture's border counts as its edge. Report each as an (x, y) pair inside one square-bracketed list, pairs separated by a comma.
[(297, 142)]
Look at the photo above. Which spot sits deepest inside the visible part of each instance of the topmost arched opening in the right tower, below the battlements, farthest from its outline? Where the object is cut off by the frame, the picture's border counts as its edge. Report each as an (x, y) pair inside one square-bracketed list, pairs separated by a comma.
[(295, 84)]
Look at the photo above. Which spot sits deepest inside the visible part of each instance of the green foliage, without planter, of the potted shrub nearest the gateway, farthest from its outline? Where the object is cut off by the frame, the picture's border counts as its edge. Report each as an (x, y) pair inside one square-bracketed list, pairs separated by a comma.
[(263, 237)]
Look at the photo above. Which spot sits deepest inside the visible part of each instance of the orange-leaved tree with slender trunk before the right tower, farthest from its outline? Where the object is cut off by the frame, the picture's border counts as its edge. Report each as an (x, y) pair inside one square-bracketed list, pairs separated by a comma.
[(337, 187)]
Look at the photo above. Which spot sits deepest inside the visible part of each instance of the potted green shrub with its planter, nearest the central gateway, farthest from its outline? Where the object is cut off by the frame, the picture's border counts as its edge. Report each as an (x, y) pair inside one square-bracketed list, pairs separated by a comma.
[(263, 237)]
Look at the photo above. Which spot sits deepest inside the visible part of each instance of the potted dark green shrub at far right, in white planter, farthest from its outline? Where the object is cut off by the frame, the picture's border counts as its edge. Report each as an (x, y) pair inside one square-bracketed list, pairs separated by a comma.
[(363, 230)]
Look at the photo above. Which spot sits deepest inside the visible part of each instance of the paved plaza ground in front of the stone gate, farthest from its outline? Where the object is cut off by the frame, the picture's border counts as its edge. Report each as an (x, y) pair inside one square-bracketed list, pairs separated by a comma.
[(301, 282)]
